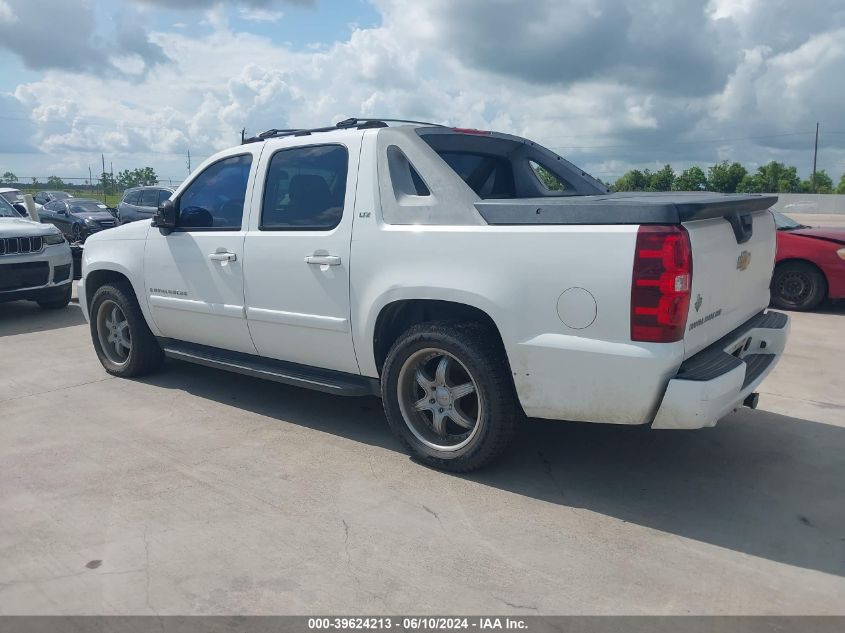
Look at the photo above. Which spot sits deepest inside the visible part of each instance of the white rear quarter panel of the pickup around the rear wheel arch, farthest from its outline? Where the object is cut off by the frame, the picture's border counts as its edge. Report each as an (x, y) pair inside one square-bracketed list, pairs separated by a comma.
[(516, 275)]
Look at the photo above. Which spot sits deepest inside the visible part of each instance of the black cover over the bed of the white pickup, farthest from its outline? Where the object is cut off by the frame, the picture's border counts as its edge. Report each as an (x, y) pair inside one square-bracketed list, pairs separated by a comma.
[(623, 208)]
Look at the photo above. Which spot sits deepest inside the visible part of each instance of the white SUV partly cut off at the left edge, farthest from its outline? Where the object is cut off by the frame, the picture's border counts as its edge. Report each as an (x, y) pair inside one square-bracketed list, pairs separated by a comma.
[(35, 260)]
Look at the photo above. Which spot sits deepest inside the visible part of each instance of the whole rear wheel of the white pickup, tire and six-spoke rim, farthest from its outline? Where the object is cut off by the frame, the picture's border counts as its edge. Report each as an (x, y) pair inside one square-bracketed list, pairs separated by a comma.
[(448, 395)]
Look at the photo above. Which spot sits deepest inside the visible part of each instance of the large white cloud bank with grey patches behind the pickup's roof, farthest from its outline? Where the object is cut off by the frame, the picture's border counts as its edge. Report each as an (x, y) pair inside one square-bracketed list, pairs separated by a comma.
[(431, 61)]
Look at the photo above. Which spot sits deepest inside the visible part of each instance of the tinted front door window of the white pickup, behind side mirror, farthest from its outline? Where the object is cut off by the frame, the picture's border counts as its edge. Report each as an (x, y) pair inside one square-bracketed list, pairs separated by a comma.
[(215, 199)]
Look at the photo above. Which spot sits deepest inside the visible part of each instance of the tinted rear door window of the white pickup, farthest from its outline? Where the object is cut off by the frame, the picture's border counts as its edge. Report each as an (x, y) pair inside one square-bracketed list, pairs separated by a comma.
[(305, 189)]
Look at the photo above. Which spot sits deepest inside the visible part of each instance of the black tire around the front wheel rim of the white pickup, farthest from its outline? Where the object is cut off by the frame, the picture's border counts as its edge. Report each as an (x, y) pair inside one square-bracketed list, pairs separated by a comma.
[(145, 355)]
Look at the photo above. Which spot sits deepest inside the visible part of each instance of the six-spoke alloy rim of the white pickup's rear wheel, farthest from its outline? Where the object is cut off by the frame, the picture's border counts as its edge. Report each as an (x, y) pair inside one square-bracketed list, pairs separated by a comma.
[(439, 399)]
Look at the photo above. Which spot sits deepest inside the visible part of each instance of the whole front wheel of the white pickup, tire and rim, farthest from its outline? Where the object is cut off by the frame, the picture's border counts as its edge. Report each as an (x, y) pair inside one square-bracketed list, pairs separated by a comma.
[(123, 341)]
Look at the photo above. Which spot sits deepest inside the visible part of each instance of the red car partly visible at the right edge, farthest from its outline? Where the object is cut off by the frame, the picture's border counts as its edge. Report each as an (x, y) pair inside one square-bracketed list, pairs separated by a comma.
[(809, 266)]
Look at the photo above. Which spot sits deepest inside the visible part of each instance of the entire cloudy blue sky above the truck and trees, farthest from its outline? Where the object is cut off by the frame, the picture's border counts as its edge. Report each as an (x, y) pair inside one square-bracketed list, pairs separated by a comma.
[(611, 84)]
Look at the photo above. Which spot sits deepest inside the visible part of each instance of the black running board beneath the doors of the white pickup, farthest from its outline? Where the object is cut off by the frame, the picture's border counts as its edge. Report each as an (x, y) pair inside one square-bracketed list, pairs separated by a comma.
[(325, 380)]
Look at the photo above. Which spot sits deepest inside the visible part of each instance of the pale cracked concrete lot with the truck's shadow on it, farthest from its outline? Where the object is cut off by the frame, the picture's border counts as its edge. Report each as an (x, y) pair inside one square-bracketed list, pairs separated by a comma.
[(206, 492)]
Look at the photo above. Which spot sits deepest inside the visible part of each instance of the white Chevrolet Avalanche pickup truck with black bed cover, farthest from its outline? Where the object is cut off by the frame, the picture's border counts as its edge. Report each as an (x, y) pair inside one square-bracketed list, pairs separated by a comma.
[(469, 278)]
